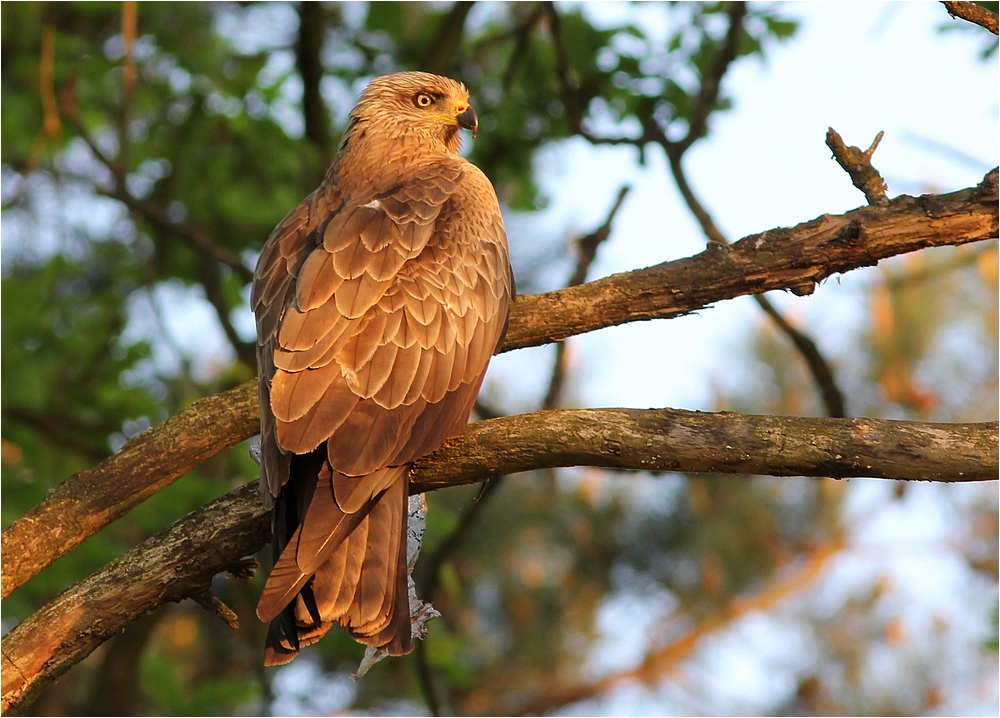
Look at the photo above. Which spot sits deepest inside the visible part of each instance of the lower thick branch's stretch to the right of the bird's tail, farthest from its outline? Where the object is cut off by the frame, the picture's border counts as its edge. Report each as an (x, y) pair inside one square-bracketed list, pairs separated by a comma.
[(687, 441)]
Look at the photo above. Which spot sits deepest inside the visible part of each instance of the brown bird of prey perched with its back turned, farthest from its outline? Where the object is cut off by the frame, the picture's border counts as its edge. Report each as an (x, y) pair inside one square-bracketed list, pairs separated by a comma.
[(379, 302)]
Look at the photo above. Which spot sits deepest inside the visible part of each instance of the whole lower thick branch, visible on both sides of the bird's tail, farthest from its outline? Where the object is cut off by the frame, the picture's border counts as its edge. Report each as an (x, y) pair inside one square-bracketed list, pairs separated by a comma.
[(180, 561)]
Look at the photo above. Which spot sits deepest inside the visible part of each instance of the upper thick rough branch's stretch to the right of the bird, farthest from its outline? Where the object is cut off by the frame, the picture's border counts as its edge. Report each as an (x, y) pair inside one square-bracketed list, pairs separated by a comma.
[(795, 259)]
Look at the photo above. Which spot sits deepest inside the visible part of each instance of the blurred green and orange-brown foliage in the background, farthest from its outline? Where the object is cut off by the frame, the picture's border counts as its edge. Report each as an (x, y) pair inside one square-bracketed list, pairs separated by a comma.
[(107, 187)]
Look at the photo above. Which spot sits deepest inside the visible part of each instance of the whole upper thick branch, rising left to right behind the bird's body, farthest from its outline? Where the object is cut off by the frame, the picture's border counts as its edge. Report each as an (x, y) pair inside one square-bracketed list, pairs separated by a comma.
[(792, 259)]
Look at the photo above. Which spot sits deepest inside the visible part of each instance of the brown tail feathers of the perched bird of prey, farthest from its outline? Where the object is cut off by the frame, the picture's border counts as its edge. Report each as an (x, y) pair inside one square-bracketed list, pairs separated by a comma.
[(344, 561)]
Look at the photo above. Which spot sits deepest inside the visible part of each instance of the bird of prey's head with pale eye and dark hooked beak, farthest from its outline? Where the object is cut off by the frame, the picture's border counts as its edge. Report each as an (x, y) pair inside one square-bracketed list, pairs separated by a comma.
[(435, 106)]
